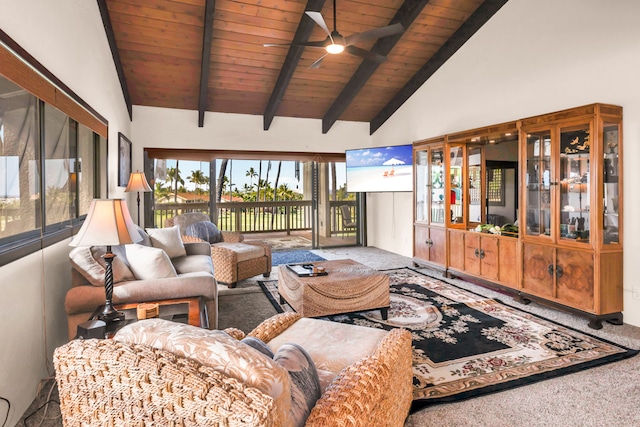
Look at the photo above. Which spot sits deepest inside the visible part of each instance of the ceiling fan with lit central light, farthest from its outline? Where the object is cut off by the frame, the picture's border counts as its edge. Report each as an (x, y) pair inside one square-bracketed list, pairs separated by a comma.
[(336, 43)]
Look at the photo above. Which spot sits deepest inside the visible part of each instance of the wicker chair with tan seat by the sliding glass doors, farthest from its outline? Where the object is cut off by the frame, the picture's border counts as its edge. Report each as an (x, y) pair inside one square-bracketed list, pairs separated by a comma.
[(230, 260)]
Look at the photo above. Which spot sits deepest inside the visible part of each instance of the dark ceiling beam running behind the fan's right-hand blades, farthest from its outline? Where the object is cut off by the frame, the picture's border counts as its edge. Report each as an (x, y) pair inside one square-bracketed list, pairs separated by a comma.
[(407, 13)]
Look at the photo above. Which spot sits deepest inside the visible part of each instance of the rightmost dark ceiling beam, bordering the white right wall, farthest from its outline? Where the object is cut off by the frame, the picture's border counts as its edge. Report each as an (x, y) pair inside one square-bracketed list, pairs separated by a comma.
[(459, 38)]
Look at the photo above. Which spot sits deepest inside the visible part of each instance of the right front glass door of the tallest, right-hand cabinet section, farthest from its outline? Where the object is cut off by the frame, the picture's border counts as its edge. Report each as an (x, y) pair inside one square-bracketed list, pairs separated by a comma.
[(575, 203)]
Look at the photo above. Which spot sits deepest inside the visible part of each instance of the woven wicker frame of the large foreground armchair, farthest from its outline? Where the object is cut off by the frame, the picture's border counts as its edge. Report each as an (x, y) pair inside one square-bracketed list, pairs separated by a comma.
[(104, 382)]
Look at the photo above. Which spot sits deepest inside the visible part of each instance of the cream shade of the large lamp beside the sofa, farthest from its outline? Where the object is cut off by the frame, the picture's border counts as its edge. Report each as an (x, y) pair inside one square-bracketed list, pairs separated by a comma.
[(108, 223)]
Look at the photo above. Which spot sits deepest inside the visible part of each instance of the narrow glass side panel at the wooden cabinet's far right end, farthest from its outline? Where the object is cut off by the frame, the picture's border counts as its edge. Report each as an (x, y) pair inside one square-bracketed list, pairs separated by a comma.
[(611, 183)]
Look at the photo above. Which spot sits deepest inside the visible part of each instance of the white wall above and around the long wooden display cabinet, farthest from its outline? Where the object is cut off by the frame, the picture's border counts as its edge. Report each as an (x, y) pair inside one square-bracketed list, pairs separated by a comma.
[(534, 57)]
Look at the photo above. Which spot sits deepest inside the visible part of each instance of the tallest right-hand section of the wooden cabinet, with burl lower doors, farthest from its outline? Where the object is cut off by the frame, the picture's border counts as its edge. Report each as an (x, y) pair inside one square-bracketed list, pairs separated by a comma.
[(571, 210)]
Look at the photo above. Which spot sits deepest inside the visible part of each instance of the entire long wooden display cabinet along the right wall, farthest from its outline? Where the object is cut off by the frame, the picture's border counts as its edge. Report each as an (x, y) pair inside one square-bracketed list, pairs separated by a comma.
[(561, 173)]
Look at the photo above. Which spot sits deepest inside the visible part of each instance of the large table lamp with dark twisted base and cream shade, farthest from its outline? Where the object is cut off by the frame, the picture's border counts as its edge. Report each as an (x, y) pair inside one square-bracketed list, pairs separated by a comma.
[(108, 223)]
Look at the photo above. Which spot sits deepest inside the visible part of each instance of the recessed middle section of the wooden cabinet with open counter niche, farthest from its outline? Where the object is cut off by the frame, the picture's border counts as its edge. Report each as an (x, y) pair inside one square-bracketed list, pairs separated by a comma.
[(478, 163)]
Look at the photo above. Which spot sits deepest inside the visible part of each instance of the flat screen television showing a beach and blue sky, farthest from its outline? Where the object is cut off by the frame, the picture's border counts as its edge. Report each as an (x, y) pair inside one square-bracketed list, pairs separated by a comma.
[(380, 169)]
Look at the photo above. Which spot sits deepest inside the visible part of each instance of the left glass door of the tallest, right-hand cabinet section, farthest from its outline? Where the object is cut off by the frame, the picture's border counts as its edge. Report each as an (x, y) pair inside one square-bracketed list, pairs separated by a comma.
[(538, 183)]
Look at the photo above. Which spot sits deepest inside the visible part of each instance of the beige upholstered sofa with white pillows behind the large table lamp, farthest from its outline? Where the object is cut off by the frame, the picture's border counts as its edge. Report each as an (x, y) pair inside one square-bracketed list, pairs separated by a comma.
[(154, 269)]
